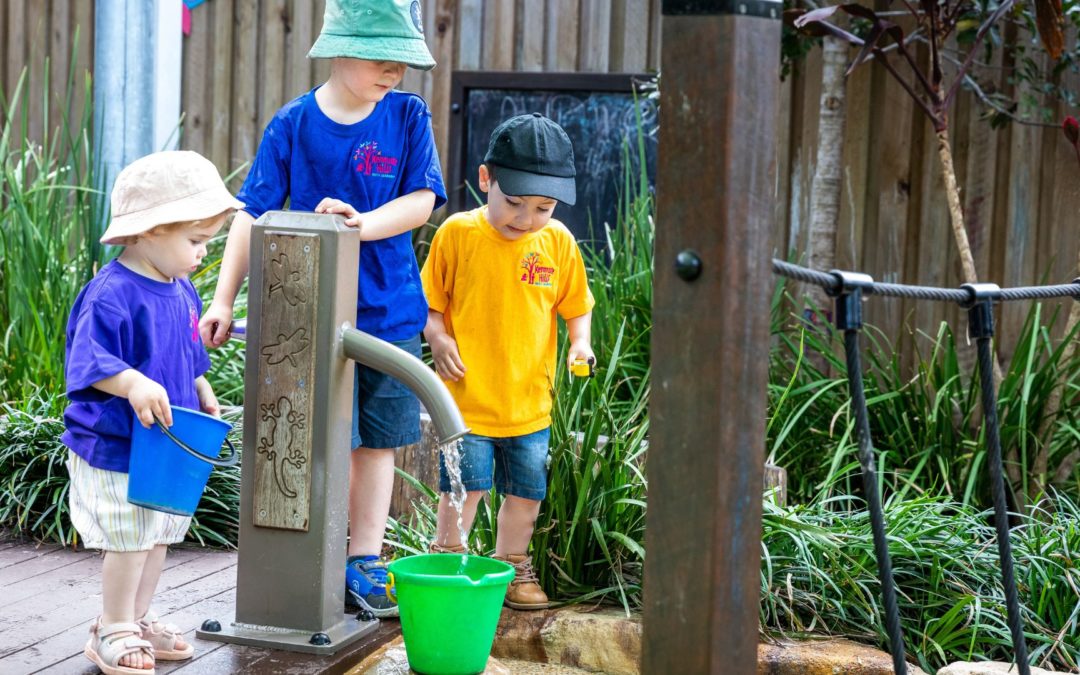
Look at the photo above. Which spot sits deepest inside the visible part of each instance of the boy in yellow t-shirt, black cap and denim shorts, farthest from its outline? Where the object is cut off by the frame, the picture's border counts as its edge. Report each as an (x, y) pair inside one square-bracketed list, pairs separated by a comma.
[(495, 278)]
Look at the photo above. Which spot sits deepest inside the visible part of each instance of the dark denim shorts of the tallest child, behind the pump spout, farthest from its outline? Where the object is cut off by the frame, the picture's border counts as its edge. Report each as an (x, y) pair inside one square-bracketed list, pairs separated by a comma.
[(386, 414)]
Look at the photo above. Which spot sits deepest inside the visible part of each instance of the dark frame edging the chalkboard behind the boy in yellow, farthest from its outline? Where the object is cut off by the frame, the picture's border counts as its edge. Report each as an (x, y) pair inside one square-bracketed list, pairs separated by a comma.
[(464, 82)]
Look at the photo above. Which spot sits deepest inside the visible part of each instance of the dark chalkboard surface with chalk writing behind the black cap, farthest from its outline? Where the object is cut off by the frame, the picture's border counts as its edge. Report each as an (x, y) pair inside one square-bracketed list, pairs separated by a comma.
[(599, 124)]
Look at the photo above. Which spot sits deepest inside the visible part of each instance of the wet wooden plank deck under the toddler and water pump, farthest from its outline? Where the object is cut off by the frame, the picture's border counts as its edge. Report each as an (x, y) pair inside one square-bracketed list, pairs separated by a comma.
[(49, 597)]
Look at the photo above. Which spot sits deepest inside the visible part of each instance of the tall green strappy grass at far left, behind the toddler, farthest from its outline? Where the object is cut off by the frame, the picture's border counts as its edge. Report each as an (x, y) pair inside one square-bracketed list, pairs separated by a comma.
[(48, 242)]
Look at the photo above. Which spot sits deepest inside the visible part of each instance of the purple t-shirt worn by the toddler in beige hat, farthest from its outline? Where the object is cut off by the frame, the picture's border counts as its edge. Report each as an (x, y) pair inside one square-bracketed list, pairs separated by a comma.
[(124, 320)]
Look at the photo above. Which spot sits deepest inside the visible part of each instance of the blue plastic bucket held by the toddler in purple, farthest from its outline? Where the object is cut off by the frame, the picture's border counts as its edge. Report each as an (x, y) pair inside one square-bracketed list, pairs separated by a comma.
[(169, 468)]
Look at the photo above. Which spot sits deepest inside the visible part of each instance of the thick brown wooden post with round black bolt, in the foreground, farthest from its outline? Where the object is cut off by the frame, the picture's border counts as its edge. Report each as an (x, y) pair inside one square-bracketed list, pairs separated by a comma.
[(721, 64)]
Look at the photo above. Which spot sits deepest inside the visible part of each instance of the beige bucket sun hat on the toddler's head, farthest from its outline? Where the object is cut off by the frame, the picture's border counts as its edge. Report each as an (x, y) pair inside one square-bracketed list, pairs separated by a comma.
[(174, 186)]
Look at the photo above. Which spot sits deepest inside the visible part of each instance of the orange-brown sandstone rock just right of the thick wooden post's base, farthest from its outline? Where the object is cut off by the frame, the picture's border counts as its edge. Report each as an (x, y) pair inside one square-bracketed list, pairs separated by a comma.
[(827, 657)]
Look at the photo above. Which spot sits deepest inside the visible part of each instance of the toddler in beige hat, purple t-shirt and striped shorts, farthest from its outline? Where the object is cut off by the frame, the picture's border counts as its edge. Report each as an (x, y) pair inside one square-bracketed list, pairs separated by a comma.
[(133, 350)]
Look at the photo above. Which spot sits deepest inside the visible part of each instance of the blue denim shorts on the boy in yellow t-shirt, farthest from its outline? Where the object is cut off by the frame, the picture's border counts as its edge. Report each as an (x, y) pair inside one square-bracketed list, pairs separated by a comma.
[(520, 465)]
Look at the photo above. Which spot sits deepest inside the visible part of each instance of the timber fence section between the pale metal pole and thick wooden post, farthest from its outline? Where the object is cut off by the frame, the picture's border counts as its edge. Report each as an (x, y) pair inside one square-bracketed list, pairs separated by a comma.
[(245, 59)]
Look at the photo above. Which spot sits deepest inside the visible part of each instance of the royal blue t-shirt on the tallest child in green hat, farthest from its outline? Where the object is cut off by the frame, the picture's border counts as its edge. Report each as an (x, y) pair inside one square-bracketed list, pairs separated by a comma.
[(305, 157)]
